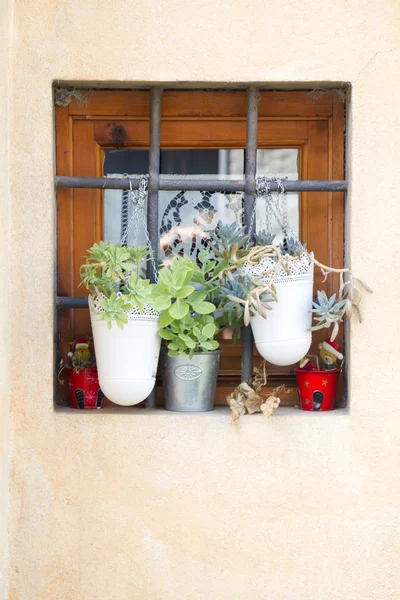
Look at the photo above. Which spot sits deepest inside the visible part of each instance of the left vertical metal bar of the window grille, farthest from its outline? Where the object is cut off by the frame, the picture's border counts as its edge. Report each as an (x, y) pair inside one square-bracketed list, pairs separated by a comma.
[(152, 200)]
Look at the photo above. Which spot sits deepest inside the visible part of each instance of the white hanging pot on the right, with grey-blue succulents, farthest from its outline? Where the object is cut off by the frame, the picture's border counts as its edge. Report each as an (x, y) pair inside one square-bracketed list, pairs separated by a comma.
[(284, 337)]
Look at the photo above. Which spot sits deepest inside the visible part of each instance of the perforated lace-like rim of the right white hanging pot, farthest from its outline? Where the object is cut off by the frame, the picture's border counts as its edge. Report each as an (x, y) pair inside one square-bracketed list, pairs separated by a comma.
[(299, 269)]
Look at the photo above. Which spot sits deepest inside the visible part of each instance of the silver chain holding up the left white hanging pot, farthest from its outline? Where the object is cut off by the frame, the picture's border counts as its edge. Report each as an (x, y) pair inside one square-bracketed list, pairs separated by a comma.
[(138, 199)]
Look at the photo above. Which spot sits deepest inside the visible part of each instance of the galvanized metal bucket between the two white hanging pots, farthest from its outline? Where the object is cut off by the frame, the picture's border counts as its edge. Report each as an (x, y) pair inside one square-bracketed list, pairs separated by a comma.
[(189, 383)]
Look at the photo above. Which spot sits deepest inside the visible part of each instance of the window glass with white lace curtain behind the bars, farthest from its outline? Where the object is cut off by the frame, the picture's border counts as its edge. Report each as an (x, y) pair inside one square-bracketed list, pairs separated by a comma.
[(186, 218)]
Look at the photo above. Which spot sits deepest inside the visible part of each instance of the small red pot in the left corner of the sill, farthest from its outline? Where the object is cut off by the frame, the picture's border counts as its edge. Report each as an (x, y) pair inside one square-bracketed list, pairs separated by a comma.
[(84, 389)]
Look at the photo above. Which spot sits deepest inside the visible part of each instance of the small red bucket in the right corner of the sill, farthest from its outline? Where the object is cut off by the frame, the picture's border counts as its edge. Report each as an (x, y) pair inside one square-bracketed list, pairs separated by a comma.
[(317, 389)]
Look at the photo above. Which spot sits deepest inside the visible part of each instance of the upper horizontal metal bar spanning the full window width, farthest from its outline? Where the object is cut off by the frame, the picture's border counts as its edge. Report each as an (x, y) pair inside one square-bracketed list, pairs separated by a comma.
[(202, 185)]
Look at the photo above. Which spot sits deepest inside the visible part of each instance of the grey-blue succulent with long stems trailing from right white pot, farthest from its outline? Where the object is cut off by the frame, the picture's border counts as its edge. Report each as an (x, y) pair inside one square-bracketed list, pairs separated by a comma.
[(242, 295)]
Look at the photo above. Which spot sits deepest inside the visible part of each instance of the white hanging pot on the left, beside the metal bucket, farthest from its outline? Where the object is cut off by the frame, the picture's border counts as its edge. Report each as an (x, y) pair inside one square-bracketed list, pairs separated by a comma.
[(126, 358)]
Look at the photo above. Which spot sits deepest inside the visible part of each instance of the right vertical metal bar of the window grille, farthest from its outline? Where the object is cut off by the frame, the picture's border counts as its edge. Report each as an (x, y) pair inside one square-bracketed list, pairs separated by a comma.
[(249, 200)]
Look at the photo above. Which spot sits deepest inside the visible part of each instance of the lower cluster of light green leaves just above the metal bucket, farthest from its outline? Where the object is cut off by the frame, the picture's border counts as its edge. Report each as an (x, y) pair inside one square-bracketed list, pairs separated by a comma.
[(192, 333)]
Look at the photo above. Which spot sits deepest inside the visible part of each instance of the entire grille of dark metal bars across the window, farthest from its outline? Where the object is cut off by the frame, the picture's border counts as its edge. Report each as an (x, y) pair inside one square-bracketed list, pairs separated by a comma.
[(155, 183)]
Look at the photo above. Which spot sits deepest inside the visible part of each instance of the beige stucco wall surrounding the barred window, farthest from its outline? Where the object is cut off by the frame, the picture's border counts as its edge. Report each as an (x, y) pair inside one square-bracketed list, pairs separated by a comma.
[(167, 506)]
